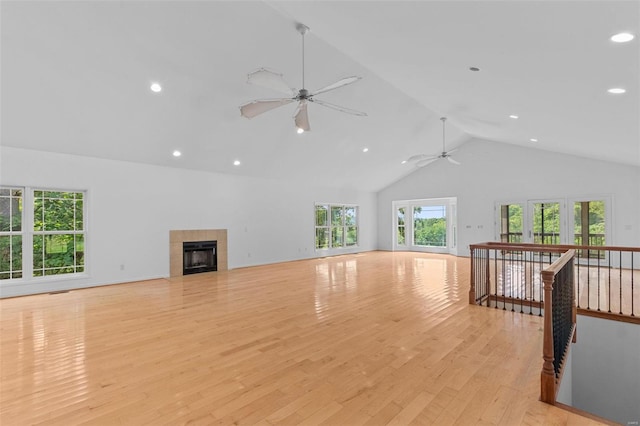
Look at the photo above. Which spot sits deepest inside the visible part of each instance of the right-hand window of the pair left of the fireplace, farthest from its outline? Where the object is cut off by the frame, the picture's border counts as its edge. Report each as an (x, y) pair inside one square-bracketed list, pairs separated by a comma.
[(58, 232)]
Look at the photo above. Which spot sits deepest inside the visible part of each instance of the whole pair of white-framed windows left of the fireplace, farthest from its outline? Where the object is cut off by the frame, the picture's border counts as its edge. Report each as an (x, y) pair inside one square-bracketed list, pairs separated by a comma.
[(42, 232)]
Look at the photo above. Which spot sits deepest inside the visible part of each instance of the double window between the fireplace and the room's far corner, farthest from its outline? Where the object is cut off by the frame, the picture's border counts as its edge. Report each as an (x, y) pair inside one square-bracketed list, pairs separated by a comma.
[(336, 226)]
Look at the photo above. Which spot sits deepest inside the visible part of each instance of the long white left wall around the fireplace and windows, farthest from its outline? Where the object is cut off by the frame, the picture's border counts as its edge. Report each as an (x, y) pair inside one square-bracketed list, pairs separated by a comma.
[(132, 207)]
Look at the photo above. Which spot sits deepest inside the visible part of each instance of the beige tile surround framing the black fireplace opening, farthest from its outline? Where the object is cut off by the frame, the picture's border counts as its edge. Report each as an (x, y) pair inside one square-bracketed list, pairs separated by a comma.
[(177, 237)]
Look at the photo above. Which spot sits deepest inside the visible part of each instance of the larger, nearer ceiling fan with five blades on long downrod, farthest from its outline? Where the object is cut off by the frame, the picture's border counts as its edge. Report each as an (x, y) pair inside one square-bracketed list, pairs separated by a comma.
[(273, 80)]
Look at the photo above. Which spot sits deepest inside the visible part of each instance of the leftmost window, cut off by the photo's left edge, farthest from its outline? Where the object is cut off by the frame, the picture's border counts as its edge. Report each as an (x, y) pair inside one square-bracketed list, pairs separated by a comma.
[(11, 202)]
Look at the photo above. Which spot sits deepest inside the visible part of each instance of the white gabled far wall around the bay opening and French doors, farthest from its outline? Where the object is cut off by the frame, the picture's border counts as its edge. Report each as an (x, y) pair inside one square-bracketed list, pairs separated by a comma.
[(493, 171)]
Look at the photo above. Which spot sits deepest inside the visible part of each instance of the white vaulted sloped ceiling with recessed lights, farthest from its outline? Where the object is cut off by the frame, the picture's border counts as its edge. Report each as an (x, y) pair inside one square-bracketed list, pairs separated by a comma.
[(75, 79)]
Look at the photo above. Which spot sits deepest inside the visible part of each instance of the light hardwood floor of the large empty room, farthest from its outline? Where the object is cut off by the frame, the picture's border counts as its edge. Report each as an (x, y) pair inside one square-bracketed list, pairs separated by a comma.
[(375, 338)]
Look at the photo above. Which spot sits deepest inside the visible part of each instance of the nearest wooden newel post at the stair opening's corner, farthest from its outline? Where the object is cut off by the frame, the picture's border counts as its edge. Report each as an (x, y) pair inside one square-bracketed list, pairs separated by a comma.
[(548, 375)]
